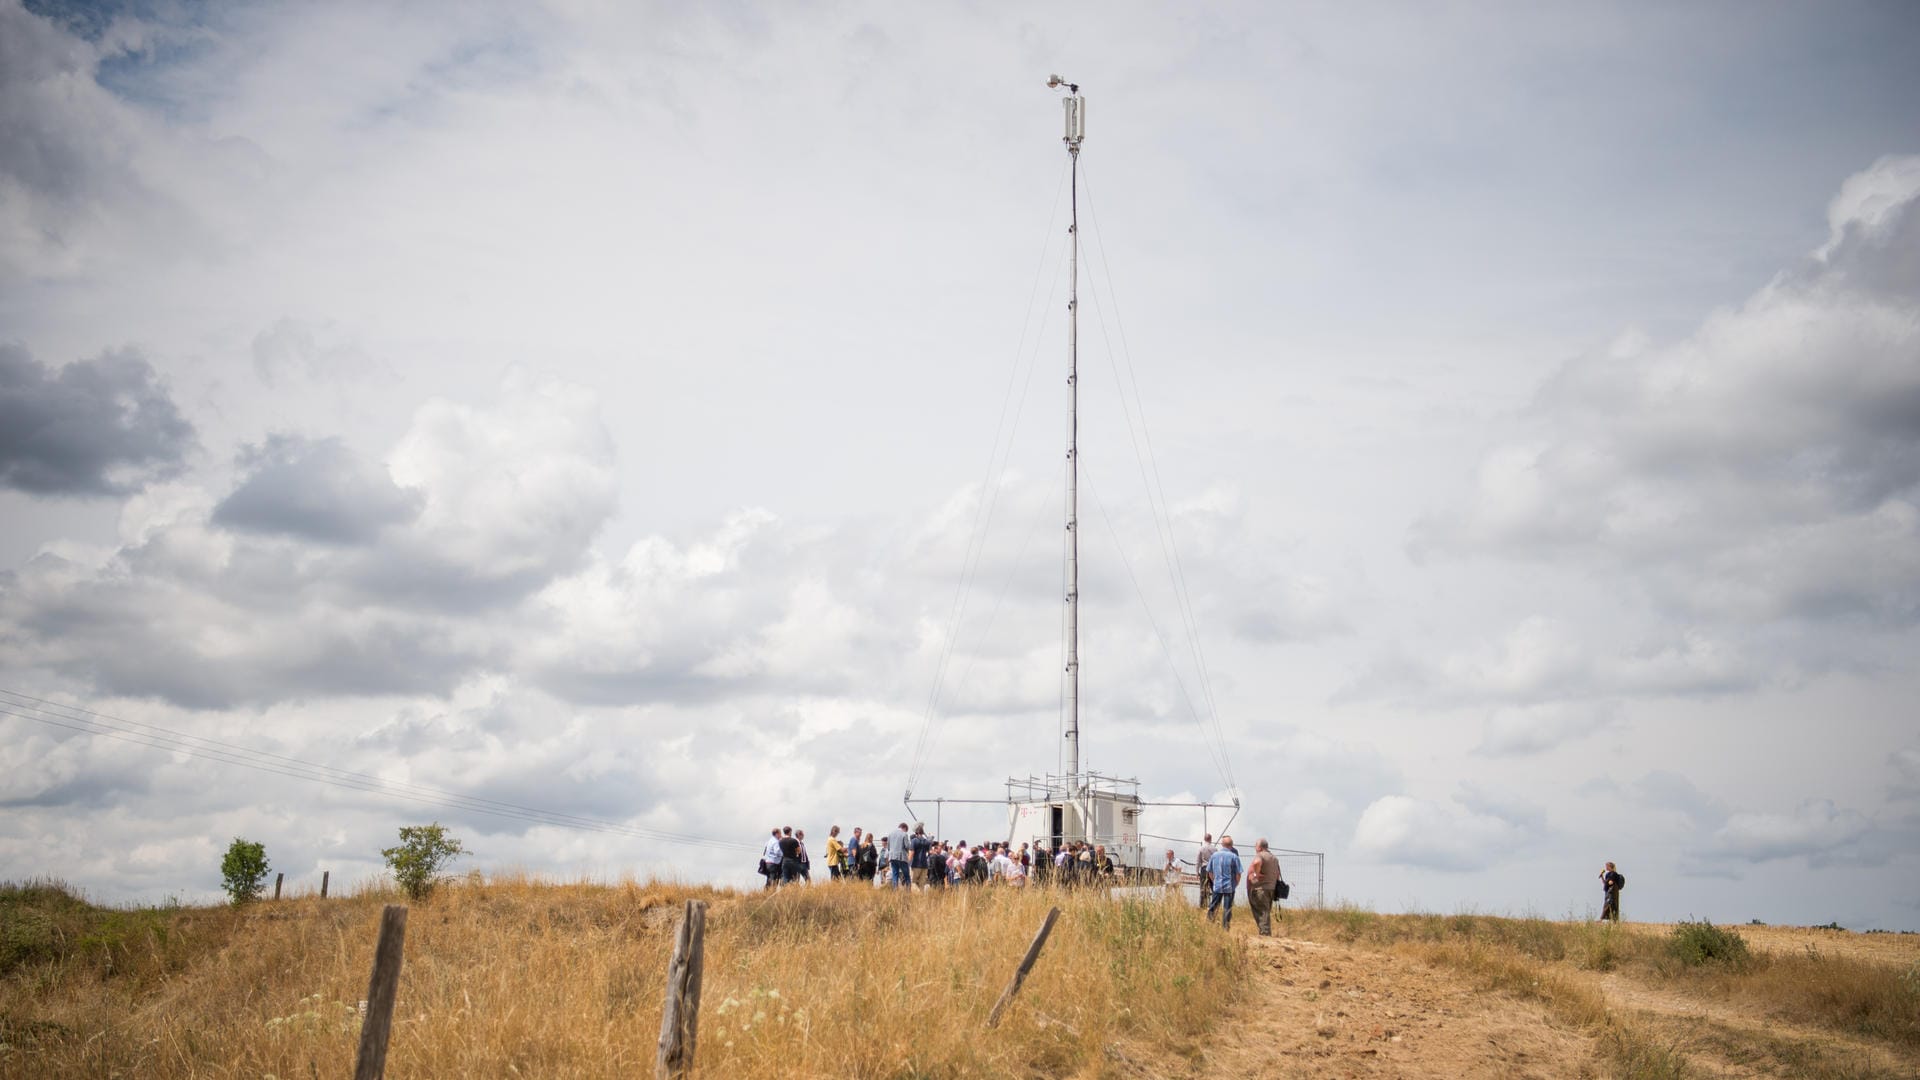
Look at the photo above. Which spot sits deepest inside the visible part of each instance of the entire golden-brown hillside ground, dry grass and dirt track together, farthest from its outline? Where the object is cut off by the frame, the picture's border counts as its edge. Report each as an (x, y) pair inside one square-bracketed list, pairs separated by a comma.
[(525, 979)]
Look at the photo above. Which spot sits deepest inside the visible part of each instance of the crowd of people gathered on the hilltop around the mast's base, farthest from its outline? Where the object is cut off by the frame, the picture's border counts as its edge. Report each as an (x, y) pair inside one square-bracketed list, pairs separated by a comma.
[(911, 858)]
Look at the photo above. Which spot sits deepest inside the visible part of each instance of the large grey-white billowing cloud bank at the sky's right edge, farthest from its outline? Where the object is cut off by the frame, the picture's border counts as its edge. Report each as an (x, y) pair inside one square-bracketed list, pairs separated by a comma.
[(1764, 468)]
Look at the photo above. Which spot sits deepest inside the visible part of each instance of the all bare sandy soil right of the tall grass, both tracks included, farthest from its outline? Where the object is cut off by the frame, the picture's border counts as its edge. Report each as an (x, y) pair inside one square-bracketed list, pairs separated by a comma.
[(1383, 1006)]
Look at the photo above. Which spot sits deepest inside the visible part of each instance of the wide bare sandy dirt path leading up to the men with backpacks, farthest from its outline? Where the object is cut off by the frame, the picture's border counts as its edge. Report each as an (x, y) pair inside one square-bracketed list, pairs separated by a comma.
[(1328, 1010)]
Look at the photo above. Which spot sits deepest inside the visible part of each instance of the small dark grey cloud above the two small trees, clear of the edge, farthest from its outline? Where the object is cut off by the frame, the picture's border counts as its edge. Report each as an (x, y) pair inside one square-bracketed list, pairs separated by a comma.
[(316, 491)]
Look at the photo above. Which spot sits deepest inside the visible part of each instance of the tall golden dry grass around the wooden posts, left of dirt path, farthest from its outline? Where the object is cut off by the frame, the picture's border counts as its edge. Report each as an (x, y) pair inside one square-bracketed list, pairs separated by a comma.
[(529, 979)]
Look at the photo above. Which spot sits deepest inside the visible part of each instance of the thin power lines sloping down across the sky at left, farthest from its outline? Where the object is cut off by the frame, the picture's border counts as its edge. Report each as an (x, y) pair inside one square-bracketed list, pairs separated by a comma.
[(155, 737)]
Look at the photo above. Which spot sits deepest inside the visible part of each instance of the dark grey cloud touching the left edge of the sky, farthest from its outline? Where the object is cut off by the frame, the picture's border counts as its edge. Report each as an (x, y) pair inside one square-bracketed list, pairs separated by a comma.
[(95, 428)]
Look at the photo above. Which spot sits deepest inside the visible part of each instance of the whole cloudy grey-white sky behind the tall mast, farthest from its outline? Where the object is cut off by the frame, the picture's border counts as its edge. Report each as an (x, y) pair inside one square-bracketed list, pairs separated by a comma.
[(1500, 437)]
